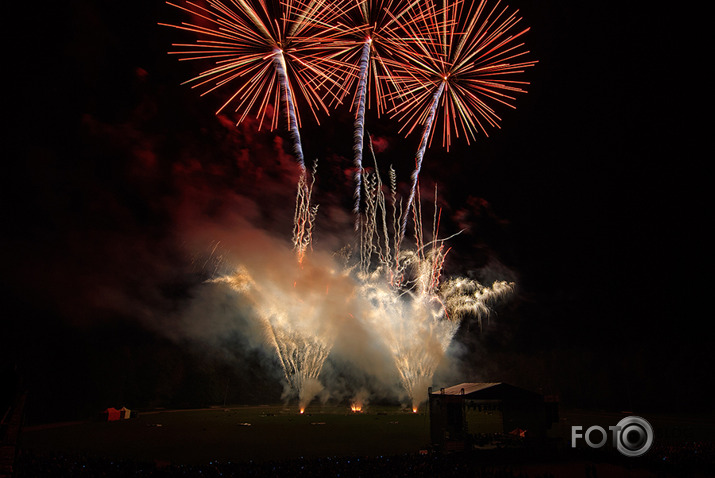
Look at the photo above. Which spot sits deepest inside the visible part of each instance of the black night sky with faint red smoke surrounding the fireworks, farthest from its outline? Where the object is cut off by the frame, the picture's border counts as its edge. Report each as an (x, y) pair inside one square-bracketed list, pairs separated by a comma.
[(591, 197)]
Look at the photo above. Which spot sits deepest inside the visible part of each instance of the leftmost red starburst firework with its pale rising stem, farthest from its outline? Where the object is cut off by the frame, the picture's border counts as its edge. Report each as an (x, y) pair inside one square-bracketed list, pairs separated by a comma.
[(264, 50)]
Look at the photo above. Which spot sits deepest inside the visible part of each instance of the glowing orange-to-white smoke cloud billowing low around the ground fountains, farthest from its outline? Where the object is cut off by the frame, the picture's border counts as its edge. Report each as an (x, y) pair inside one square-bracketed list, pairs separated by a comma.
[(333, 334)]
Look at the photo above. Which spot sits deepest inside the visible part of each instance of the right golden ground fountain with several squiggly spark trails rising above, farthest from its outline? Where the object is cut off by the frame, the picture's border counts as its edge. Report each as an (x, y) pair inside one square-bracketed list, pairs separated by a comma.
[(407, 305)]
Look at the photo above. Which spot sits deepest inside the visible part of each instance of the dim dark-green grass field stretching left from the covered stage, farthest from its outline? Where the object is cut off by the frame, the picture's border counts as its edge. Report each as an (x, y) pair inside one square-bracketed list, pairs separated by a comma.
[(239, 434)]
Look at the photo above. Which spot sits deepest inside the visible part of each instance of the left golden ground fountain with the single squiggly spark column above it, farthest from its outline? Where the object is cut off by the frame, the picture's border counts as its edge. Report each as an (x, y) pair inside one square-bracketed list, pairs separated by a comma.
[(299, 305)]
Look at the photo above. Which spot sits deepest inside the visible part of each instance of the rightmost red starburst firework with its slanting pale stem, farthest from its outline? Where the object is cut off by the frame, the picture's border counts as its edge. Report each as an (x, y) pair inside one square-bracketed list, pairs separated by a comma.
[(461, 61)]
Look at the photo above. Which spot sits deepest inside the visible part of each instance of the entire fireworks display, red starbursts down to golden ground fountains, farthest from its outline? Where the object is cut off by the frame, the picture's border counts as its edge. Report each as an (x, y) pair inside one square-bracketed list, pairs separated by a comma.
[(420, 62)]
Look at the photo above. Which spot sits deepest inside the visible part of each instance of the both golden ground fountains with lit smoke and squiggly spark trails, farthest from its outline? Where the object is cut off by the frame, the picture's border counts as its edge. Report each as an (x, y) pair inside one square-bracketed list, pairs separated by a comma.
[(388, 311)]
